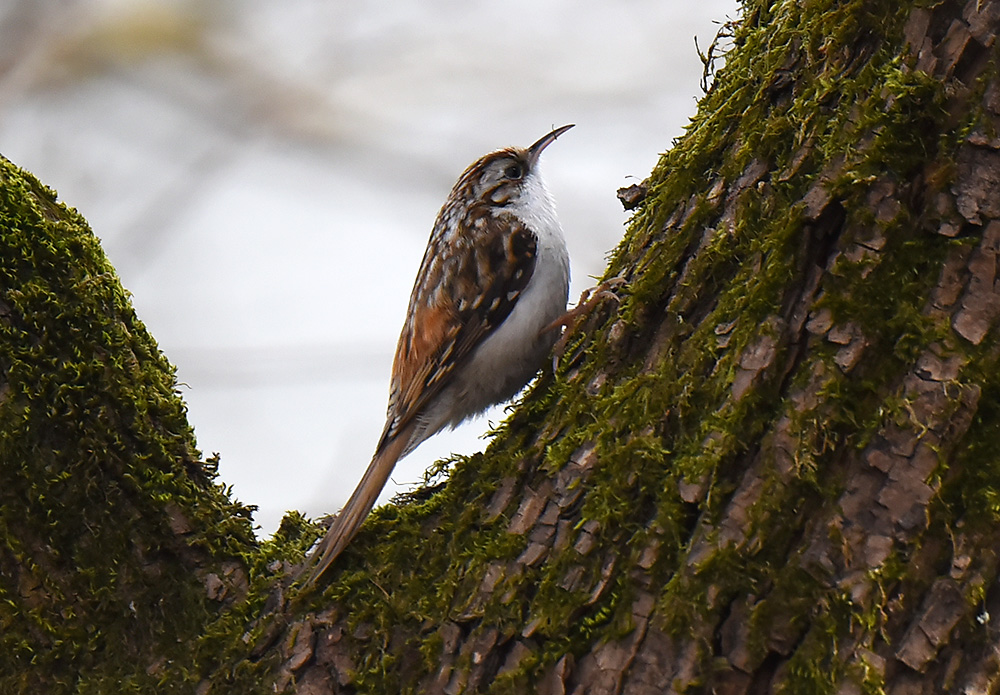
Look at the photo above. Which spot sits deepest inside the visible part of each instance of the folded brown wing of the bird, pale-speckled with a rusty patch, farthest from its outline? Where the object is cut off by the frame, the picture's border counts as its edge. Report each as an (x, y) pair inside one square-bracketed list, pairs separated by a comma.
[(467, 287)]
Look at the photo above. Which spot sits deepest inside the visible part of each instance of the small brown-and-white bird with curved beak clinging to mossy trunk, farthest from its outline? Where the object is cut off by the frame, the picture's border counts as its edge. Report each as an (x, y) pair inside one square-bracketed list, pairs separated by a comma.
[(483, 314)]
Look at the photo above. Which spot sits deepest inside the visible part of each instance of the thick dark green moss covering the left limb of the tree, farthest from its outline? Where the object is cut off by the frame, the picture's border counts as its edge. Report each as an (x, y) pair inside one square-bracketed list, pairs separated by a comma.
[(99, 470)]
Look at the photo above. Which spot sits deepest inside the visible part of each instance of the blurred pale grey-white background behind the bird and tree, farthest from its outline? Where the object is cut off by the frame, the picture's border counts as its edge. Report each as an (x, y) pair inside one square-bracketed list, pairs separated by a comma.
[(264, 176)]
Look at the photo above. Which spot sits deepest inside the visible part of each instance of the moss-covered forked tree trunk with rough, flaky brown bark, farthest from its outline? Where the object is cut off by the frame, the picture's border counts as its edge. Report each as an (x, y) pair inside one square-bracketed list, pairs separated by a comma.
[(774, 466)]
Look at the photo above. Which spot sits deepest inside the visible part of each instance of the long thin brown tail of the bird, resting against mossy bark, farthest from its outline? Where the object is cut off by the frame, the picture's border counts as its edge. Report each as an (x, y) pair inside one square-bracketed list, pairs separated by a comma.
[(349, 520)]
